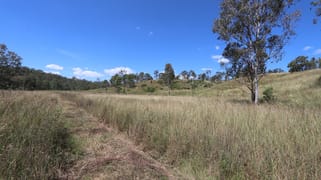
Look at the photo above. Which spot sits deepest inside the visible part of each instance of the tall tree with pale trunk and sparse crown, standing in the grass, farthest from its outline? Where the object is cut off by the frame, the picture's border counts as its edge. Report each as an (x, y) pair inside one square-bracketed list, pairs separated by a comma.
[(255, 32)]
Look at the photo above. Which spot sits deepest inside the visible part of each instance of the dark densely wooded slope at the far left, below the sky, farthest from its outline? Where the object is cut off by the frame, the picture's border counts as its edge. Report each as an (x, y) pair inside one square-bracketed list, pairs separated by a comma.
[(15, 76)]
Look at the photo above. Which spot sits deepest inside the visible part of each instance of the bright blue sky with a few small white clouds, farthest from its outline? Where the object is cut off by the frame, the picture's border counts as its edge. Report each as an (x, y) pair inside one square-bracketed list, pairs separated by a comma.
[(93, 39)]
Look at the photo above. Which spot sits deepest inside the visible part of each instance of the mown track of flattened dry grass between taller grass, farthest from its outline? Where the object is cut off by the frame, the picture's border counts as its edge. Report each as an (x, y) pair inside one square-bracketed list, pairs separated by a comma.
[(108, 154)]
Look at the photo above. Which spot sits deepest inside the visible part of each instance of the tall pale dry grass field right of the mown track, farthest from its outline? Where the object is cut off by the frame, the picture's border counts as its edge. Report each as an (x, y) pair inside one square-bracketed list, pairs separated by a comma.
[(213, 138)]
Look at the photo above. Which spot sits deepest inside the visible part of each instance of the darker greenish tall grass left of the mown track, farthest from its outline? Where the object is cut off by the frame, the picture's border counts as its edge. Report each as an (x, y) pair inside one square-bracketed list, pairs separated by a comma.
[(34, 142)]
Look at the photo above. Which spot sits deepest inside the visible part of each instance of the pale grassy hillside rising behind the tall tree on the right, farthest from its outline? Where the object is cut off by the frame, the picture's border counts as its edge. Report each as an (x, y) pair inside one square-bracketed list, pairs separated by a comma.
[(301, 88)]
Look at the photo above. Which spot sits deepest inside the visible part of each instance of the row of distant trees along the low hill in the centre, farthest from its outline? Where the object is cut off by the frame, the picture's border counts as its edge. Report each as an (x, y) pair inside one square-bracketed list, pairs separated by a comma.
[(123, 81)]
